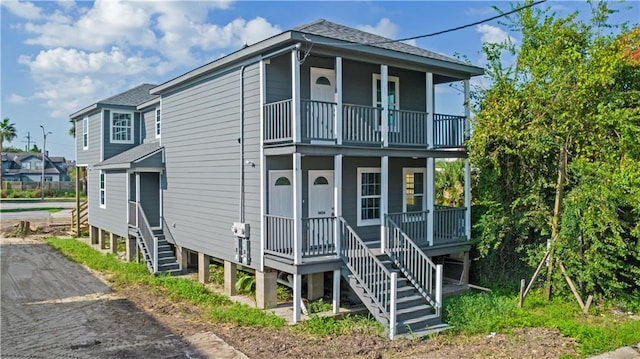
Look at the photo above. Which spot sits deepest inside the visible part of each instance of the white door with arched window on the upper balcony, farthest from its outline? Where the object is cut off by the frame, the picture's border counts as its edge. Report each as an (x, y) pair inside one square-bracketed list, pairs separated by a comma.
[(320, 112)]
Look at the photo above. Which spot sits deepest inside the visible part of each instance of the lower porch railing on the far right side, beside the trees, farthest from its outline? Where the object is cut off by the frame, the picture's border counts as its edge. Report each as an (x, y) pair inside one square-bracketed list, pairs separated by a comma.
[(449, 224)]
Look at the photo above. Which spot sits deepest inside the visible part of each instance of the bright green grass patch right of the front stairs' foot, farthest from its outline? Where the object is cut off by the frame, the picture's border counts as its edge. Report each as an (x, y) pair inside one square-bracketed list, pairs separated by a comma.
[(492, 312)]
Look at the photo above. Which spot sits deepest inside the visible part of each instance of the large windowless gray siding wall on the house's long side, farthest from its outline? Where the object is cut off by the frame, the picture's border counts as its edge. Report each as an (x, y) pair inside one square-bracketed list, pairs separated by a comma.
[(202, 157)]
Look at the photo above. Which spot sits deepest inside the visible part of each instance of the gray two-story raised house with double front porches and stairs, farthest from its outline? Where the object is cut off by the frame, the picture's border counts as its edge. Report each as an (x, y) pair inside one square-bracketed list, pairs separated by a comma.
[(307, 155)]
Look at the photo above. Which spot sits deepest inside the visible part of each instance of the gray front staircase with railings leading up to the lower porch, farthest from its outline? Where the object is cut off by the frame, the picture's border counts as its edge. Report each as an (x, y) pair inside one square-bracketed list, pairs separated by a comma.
[(399, 300)]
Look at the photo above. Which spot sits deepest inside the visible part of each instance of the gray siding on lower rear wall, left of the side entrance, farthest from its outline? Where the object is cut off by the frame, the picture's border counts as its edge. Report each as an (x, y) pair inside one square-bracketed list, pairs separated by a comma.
[(113, 218)]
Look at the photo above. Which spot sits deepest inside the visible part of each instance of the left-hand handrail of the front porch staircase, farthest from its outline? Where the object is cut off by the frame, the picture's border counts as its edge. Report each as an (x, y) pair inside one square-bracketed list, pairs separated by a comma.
[(383, 290)]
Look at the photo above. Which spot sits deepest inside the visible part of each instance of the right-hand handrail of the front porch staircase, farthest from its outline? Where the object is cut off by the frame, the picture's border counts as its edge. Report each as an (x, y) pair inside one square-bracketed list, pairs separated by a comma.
[(423, 273)]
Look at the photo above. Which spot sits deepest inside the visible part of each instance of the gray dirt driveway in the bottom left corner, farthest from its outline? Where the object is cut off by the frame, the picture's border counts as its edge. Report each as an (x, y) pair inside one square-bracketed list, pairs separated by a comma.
[(54, 308)]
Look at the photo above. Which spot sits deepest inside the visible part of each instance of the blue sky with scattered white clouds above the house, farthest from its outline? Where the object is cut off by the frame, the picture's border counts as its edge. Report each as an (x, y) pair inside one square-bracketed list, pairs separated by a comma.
[(58, 57)]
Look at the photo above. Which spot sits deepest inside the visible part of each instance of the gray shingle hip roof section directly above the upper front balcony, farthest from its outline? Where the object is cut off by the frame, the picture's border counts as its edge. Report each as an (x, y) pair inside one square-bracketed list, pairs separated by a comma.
[(335, 31)]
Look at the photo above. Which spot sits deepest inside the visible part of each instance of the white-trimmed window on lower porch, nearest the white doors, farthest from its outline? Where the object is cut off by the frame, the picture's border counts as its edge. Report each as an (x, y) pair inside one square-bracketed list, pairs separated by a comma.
[(369, 196)]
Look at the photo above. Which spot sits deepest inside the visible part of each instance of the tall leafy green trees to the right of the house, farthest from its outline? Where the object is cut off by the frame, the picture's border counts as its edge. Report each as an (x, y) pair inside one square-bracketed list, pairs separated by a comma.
[(562, 125)]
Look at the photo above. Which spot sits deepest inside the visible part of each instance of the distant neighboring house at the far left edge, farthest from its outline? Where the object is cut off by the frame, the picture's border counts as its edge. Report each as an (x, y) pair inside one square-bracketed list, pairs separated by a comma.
[(27, 167)]
